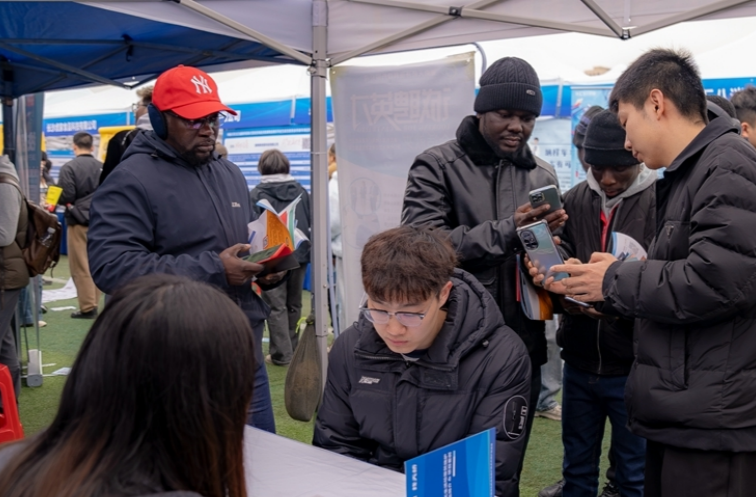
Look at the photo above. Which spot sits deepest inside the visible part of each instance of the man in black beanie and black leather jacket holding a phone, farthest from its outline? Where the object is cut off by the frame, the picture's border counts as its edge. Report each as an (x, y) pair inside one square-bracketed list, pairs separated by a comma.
[(476, 188)]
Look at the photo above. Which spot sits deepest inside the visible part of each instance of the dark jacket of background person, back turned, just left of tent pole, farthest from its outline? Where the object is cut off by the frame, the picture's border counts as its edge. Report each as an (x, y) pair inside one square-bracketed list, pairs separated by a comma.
[(280, 191)]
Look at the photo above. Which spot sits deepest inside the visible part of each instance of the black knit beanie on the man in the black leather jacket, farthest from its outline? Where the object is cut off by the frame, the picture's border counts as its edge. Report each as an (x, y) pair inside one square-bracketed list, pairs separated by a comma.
[(512, 84)]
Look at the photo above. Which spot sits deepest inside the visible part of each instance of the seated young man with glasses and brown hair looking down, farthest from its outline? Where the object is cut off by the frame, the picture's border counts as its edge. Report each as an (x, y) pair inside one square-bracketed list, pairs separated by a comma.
[(429, 362)]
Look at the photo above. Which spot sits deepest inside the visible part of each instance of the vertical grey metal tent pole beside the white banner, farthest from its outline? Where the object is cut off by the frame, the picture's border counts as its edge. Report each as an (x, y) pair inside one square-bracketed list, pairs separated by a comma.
[(319, 161)]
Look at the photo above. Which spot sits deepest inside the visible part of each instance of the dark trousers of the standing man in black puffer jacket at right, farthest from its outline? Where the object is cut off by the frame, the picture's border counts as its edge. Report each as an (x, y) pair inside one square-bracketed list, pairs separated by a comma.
[(676, 472)]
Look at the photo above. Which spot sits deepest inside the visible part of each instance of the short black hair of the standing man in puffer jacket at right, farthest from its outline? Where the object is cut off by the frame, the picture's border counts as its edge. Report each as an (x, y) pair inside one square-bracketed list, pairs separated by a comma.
[(671, 71)]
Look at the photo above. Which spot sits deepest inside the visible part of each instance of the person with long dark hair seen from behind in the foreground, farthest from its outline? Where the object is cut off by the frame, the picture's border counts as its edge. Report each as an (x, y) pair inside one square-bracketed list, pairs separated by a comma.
[(143, 411)]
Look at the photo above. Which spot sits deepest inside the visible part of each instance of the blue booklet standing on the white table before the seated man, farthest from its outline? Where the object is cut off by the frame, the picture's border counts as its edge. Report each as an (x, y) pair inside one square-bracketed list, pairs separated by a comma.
[(461, 469)]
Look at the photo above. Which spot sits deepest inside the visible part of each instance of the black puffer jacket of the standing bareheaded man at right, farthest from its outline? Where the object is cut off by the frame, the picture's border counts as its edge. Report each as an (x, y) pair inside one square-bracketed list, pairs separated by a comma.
[(693, 384)]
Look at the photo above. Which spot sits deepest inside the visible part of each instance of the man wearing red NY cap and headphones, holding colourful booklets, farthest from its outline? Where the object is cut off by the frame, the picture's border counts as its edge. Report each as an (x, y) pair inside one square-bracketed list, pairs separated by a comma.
[(174, 206)]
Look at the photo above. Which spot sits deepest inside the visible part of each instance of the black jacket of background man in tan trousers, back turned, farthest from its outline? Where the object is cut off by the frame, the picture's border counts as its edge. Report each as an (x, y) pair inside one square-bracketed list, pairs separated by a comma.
[(79, 178)]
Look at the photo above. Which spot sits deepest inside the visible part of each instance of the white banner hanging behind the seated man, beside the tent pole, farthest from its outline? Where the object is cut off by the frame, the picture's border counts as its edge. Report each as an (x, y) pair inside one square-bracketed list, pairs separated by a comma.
[(384, 117)]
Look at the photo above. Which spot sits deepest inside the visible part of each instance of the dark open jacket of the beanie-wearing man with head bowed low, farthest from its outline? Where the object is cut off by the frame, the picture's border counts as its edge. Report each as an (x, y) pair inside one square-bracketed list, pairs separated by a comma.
[(604, 346)]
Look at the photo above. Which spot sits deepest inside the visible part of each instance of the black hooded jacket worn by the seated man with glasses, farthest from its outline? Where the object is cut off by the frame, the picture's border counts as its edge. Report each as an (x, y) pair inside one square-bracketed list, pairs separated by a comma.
[(379, 408)]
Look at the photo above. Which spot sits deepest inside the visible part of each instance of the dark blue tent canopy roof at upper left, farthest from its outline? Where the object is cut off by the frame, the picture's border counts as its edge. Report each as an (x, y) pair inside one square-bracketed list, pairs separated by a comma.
[(40, 51)]
